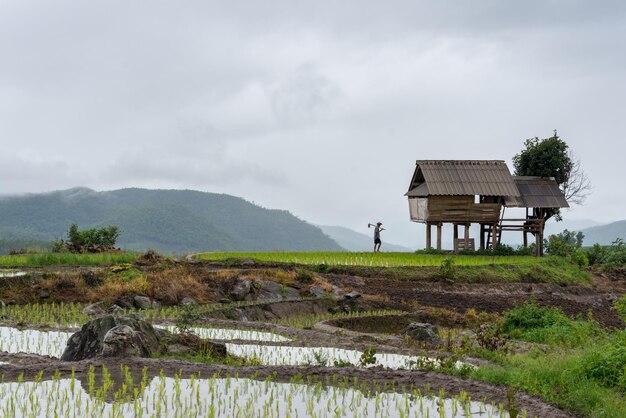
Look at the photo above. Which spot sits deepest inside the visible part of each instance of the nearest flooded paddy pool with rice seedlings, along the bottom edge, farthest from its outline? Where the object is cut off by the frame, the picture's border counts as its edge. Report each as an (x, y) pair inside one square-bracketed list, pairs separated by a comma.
[(226, 397)]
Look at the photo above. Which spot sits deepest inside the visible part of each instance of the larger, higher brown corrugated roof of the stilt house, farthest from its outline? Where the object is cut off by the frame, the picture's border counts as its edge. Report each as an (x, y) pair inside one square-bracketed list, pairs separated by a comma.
[(466, 177)]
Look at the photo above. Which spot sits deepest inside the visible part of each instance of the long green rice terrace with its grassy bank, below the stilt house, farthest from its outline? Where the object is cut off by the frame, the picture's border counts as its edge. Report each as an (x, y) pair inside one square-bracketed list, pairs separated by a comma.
[(421, 267)]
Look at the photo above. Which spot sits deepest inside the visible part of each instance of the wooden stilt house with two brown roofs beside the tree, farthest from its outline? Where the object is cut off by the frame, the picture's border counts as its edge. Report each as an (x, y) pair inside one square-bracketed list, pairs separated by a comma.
[(463, 192)]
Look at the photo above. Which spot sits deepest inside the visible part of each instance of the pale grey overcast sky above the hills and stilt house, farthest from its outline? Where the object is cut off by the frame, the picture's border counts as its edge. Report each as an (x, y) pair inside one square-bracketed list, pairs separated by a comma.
[(317, 107)]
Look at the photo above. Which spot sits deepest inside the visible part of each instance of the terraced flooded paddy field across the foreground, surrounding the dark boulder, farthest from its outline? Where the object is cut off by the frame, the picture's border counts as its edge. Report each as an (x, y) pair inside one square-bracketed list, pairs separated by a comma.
[(298, 343)]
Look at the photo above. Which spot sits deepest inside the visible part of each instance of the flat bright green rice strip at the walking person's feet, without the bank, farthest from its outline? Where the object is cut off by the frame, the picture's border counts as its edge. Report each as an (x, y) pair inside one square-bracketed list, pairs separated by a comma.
[(366, 259)]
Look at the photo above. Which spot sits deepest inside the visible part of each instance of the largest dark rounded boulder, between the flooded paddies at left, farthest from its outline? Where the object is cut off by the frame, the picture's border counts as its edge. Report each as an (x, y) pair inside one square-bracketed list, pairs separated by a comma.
[(90, 341)]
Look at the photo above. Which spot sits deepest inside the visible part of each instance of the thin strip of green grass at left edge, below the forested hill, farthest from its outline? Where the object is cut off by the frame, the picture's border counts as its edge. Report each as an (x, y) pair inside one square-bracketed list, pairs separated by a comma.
[(68, 259)]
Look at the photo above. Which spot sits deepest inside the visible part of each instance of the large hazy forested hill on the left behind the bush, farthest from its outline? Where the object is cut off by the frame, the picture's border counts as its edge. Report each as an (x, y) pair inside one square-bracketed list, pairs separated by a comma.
[(166, 220)]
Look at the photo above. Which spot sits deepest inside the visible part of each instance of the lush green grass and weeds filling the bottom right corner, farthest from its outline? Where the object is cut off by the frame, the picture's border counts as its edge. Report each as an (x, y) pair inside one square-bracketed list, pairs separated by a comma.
[(583, 370)]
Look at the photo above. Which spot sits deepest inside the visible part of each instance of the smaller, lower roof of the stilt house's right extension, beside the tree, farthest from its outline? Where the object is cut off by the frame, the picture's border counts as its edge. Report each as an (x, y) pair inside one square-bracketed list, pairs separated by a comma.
[(537, 192)]
